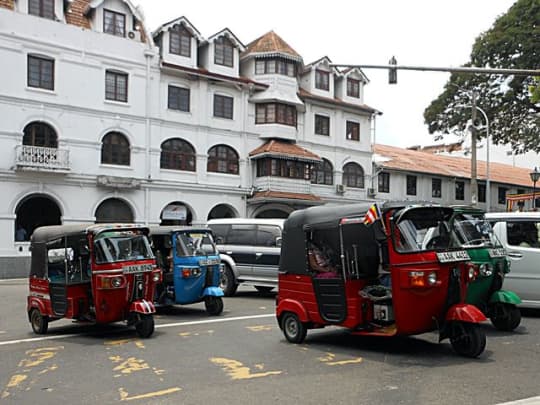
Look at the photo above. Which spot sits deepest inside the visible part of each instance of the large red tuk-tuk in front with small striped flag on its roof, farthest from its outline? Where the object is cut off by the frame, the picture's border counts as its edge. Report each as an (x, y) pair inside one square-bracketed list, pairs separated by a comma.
[(381, 279)]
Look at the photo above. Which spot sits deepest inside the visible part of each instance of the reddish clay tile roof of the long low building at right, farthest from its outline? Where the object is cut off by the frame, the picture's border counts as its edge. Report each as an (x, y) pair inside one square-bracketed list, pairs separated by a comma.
[(392, 157)]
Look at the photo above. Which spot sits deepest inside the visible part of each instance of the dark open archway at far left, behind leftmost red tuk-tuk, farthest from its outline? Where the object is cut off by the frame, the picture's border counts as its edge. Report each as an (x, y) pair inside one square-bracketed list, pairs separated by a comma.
[(33, 212)]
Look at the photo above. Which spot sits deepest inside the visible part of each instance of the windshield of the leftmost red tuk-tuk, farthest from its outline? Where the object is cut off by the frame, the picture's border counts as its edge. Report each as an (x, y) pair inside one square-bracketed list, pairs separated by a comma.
[(120, 246)]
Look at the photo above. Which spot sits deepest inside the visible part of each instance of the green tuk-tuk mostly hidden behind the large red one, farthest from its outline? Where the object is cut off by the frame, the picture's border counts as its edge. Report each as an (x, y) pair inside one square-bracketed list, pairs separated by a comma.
[(474, 233)]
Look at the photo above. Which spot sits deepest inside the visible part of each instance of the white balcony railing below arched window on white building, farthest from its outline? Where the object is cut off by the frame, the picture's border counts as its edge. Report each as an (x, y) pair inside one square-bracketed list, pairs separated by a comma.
[(41, 158)]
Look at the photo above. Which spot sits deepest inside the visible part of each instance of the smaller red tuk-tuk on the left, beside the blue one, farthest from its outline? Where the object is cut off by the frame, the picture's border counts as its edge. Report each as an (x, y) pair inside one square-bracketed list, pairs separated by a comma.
[(92, 273)]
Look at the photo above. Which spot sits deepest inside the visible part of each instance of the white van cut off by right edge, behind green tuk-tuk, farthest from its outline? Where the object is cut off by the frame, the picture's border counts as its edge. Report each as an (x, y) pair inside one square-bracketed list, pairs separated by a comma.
[(519, 233)]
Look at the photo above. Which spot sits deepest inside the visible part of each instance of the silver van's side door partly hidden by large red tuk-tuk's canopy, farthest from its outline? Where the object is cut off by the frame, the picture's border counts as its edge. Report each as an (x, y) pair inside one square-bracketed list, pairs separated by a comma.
[(267, 250)]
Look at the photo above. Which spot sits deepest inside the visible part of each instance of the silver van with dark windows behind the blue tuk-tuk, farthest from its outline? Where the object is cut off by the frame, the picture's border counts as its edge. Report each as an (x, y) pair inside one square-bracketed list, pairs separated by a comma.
[(249, 249)]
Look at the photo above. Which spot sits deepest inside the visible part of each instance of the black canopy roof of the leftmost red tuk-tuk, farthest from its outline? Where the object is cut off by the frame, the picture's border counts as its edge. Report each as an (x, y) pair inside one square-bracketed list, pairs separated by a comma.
[(44, 234)]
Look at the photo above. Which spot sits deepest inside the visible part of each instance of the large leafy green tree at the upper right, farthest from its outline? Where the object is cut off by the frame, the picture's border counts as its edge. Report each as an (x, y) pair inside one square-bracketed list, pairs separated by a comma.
[(513, 42)]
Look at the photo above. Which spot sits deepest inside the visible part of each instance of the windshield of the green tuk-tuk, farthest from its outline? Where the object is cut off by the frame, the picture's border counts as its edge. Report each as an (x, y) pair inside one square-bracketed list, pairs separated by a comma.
[(472, 230)]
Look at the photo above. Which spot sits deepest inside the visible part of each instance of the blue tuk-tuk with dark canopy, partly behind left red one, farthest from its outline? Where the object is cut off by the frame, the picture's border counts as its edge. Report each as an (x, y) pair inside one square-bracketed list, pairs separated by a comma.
[(190, 263)]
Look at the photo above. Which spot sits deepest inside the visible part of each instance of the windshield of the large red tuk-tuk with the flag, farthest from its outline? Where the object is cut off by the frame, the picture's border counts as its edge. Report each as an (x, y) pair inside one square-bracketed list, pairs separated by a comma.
[(420, 229)]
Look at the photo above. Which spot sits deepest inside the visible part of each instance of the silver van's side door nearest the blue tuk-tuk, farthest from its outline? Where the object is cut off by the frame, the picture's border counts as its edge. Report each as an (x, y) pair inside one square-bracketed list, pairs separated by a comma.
[(240, 245)]
